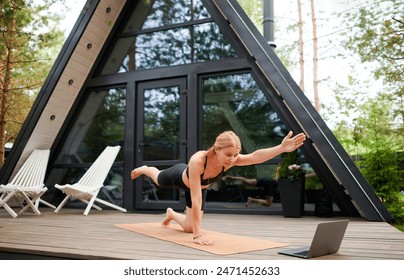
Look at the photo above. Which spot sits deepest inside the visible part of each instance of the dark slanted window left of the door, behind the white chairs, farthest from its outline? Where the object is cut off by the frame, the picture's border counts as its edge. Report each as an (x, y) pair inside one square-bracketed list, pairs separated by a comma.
[(98, 124)]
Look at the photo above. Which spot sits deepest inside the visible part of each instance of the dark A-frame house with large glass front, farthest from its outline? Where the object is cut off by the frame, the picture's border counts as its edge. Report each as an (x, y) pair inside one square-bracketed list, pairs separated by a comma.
[(162, 78)]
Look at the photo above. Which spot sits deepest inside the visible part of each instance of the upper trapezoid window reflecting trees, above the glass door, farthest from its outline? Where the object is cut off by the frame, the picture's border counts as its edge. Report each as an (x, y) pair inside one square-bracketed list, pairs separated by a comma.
[(165, 33)]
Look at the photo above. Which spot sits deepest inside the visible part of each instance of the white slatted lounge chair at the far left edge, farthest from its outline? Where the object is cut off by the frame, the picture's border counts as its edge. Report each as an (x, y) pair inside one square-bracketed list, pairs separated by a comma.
[(27, 186)]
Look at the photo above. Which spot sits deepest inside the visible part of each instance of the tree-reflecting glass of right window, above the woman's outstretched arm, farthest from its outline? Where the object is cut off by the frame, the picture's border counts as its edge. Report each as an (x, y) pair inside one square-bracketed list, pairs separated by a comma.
[(235, 102)]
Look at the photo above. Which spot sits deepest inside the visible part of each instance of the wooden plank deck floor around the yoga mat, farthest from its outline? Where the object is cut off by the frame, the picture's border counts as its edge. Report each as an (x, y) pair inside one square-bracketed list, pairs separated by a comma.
[(71, 235)]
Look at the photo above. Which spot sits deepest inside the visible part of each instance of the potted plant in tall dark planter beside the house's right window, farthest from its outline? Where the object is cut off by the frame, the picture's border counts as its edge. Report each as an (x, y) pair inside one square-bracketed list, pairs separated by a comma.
[(291, 181)]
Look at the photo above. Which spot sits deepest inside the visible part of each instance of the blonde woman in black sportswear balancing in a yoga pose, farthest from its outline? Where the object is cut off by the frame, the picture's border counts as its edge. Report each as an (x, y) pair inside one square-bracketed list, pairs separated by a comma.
[(205, 168)]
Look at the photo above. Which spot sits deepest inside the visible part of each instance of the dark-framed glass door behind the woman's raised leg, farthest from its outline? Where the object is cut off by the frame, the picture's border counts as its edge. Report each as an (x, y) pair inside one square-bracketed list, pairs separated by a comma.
[(161, 139)]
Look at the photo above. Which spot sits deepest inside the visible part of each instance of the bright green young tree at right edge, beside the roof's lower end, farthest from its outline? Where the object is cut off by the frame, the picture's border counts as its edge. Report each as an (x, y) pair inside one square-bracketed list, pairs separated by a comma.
[(381, 159)]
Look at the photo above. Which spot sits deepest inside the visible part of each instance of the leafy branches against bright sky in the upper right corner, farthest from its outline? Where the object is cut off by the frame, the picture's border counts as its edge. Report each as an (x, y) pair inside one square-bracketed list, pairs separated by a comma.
[(376, 34)]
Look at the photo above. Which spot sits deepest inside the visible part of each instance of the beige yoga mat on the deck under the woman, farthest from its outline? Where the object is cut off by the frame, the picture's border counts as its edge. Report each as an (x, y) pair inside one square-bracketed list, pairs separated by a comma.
[(224, 244)]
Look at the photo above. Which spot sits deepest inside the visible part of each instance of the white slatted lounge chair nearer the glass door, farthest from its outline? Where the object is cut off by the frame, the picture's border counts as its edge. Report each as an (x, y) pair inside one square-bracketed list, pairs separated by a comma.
[(89, 185)]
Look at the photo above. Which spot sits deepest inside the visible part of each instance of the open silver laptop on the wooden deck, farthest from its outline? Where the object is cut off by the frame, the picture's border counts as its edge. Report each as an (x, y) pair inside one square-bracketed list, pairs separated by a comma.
[(327, 240)]
